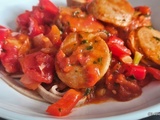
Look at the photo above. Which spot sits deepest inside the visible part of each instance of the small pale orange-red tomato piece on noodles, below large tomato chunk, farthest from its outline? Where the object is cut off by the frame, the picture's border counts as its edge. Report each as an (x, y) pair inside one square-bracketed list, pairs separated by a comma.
[(29, 83)]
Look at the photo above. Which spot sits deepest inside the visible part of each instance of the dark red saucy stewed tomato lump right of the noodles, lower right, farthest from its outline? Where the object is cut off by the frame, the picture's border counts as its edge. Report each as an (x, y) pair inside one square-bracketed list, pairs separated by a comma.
[(121, 88)]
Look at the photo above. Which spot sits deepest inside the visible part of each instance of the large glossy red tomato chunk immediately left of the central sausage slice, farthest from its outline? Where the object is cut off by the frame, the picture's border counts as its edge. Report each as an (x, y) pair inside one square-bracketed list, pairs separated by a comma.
[(38, 66)]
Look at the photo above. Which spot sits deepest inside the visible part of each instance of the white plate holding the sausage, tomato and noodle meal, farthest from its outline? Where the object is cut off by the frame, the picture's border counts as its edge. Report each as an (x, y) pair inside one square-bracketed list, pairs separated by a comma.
[(14, 105)]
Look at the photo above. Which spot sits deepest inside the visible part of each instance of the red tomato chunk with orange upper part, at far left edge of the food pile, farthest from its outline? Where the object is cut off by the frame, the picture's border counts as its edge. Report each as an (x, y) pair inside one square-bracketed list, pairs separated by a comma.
[(15, 45)]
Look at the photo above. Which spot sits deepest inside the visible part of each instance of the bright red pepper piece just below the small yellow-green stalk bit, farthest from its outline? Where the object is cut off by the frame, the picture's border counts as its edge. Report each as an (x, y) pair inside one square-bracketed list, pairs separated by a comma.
[(137, 71)]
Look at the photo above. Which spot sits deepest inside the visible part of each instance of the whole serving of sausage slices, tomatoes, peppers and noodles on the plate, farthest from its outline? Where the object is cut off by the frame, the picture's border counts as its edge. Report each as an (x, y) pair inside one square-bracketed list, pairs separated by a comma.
[(87, 52)]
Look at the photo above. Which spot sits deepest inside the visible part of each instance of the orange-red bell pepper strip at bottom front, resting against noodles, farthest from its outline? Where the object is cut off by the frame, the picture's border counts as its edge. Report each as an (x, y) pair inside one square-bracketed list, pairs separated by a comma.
[(65, 104)]
